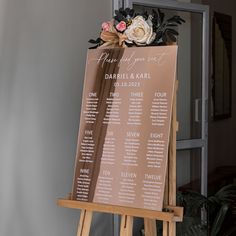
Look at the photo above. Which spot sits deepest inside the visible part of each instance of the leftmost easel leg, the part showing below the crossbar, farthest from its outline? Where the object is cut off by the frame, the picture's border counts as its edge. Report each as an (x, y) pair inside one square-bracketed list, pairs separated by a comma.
[(84, 223)]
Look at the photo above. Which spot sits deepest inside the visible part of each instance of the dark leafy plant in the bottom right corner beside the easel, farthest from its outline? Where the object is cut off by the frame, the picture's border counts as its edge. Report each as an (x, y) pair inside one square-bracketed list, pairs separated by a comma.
[(217, 206)]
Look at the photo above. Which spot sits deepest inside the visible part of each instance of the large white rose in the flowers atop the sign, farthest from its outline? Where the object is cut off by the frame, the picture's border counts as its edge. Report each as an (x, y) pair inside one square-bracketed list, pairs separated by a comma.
[(140, 32)]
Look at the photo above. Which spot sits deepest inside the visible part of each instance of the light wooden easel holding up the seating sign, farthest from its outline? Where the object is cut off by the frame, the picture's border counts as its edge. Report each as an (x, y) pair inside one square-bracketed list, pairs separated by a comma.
[(169, 216)]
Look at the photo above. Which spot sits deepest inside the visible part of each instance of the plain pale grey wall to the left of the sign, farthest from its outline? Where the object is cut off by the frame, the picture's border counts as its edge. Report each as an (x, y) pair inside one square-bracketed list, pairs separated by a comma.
[(42, 56)]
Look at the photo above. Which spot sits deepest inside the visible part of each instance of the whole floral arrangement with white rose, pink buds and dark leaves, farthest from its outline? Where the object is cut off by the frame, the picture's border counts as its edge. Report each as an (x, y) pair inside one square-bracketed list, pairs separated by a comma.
[(128, 29)]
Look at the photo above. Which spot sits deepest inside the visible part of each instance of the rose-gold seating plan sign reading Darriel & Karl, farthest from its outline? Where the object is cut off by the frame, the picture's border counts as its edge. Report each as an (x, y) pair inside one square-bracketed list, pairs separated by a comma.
[(124, 129)]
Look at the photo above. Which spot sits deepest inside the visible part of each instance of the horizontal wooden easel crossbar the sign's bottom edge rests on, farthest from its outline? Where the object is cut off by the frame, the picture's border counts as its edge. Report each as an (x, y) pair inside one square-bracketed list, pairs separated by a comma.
[(175, 214)]
